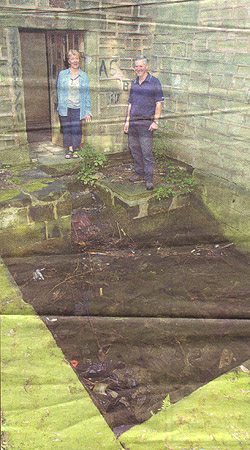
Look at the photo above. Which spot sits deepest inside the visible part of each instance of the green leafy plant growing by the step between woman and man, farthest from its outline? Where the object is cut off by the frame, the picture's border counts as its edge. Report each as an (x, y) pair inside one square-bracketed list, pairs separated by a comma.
[(92, 161)]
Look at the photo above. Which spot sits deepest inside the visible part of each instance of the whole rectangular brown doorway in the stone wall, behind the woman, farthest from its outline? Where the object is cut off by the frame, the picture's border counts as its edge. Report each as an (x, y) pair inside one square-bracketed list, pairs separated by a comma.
[(43, 56)]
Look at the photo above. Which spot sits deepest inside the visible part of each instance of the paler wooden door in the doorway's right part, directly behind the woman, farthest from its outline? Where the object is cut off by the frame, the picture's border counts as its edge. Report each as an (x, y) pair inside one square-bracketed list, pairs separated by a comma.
[(58, 44)]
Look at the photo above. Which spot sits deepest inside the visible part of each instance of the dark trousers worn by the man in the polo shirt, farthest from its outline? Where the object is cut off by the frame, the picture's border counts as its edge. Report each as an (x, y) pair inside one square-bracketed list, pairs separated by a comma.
[(140, 141)]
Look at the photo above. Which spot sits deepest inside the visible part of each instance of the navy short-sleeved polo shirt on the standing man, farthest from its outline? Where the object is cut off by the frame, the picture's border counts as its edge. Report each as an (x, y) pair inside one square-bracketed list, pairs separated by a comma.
[(143, 97)]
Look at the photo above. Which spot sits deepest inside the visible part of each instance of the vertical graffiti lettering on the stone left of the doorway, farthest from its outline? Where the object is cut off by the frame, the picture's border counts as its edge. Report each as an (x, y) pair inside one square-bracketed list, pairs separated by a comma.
[(16, 74)]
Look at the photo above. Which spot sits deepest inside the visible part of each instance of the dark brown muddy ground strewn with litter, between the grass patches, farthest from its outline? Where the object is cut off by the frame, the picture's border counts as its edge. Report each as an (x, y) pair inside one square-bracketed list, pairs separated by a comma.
[(137, 324)]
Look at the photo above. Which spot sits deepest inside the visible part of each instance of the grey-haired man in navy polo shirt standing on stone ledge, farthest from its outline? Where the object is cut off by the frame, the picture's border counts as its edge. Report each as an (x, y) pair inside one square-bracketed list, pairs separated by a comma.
[(144, 110)]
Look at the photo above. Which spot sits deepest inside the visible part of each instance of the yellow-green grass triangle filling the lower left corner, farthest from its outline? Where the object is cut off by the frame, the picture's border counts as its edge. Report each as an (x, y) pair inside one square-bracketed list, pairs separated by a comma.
[(44, 404)]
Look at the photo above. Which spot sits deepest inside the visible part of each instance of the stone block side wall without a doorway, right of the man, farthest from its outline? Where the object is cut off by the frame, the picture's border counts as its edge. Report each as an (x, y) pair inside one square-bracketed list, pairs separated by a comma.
[(204, 63)]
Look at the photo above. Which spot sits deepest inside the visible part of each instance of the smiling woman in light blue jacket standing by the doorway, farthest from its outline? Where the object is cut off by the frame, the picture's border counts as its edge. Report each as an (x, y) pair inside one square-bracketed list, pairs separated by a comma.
[(73, 103)]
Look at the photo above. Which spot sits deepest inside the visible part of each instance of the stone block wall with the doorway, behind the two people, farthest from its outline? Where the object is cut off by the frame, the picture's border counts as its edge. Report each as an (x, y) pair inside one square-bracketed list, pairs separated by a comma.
[(114, 35)]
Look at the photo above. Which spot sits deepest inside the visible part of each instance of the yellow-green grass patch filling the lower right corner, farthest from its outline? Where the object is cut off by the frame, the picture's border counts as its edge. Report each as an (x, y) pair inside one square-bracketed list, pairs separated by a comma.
[(215, 417)]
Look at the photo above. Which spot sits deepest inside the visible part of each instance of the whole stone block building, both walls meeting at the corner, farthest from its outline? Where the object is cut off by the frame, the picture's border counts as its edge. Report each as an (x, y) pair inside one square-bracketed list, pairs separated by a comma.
[(199, 51)]
